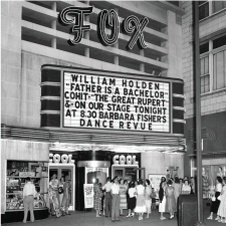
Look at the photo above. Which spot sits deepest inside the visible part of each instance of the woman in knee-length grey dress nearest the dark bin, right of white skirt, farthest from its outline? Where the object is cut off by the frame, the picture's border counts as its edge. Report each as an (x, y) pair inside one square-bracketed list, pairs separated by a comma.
[(170, 199)]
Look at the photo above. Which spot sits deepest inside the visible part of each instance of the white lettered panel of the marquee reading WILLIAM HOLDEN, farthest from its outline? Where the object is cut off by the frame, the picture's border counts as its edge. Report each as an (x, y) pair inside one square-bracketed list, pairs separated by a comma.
[(104, 102)]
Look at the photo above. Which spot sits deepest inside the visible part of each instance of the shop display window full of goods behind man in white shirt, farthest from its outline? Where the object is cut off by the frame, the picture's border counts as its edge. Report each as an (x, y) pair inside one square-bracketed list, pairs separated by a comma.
[(17, 171)]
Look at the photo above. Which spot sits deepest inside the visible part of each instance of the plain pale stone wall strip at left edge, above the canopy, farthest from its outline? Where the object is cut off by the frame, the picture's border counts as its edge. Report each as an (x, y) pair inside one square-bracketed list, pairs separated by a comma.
[(10, 61)]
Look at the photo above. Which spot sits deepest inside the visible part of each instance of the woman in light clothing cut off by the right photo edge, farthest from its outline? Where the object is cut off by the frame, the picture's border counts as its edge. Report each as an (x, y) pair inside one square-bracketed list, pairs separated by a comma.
[(222, 208)]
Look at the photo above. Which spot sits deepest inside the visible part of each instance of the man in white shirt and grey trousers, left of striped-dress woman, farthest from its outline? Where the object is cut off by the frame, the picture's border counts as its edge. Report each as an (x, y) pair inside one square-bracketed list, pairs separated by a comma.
[(115, 200)]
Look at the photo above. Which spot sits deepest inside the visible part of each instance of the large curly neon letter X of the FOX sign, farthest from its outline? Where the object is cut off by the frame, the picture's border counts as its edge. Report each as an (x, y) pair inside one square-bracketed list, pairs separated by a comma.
[(138, 27)]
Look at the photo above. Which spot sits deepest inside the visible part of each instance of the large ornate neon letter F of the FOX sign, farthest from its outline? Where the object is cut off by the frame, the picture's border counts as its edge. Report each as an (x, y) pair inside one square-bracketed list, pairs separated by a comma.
[(74, 15)]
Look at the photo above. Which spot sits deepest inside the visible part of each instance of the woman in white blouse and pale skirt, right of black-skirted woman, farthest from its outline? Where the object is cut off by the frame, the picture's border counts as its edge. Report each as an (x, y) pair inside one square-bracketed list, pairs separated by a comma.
[(140, 204)]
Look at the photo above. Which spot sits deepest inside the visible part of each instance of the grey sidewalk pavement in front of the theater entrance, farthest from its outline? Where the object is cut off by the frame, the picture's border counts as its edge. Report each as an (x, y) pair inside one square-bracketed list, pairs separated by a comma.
[(88, 218)]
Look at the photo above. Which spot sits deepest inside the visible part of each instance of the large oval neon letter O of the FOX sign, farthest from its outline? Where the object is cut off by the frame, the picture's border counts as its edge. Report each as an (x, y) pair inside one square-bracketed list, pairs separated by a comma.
[(108, 19)]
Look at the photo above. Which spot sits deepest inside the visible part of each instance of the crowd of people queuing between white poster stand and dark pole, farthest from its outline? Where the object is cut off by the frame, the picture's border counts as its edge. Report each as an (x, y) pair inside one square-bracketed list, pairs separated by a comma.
[(139, 197)]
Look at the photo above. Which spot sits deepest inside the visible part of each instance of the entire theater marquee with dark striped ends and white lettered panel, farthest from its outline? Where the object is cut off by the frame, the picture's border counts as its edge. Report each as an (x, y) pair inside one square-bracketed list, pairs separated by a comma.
[(102, 101)]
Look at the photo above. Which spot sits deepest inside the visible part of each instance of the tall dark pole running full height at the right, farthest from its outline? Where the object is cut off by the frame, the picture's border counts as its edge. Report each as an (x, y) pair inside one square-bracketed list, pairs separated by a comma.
[(198, 117)]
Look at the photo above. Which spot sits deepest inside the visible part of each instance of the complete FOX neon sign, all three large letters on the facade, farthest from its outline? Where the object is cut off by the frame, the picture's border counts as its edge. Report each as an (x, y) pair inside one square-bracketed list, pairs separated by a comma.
[(108, 19)]
